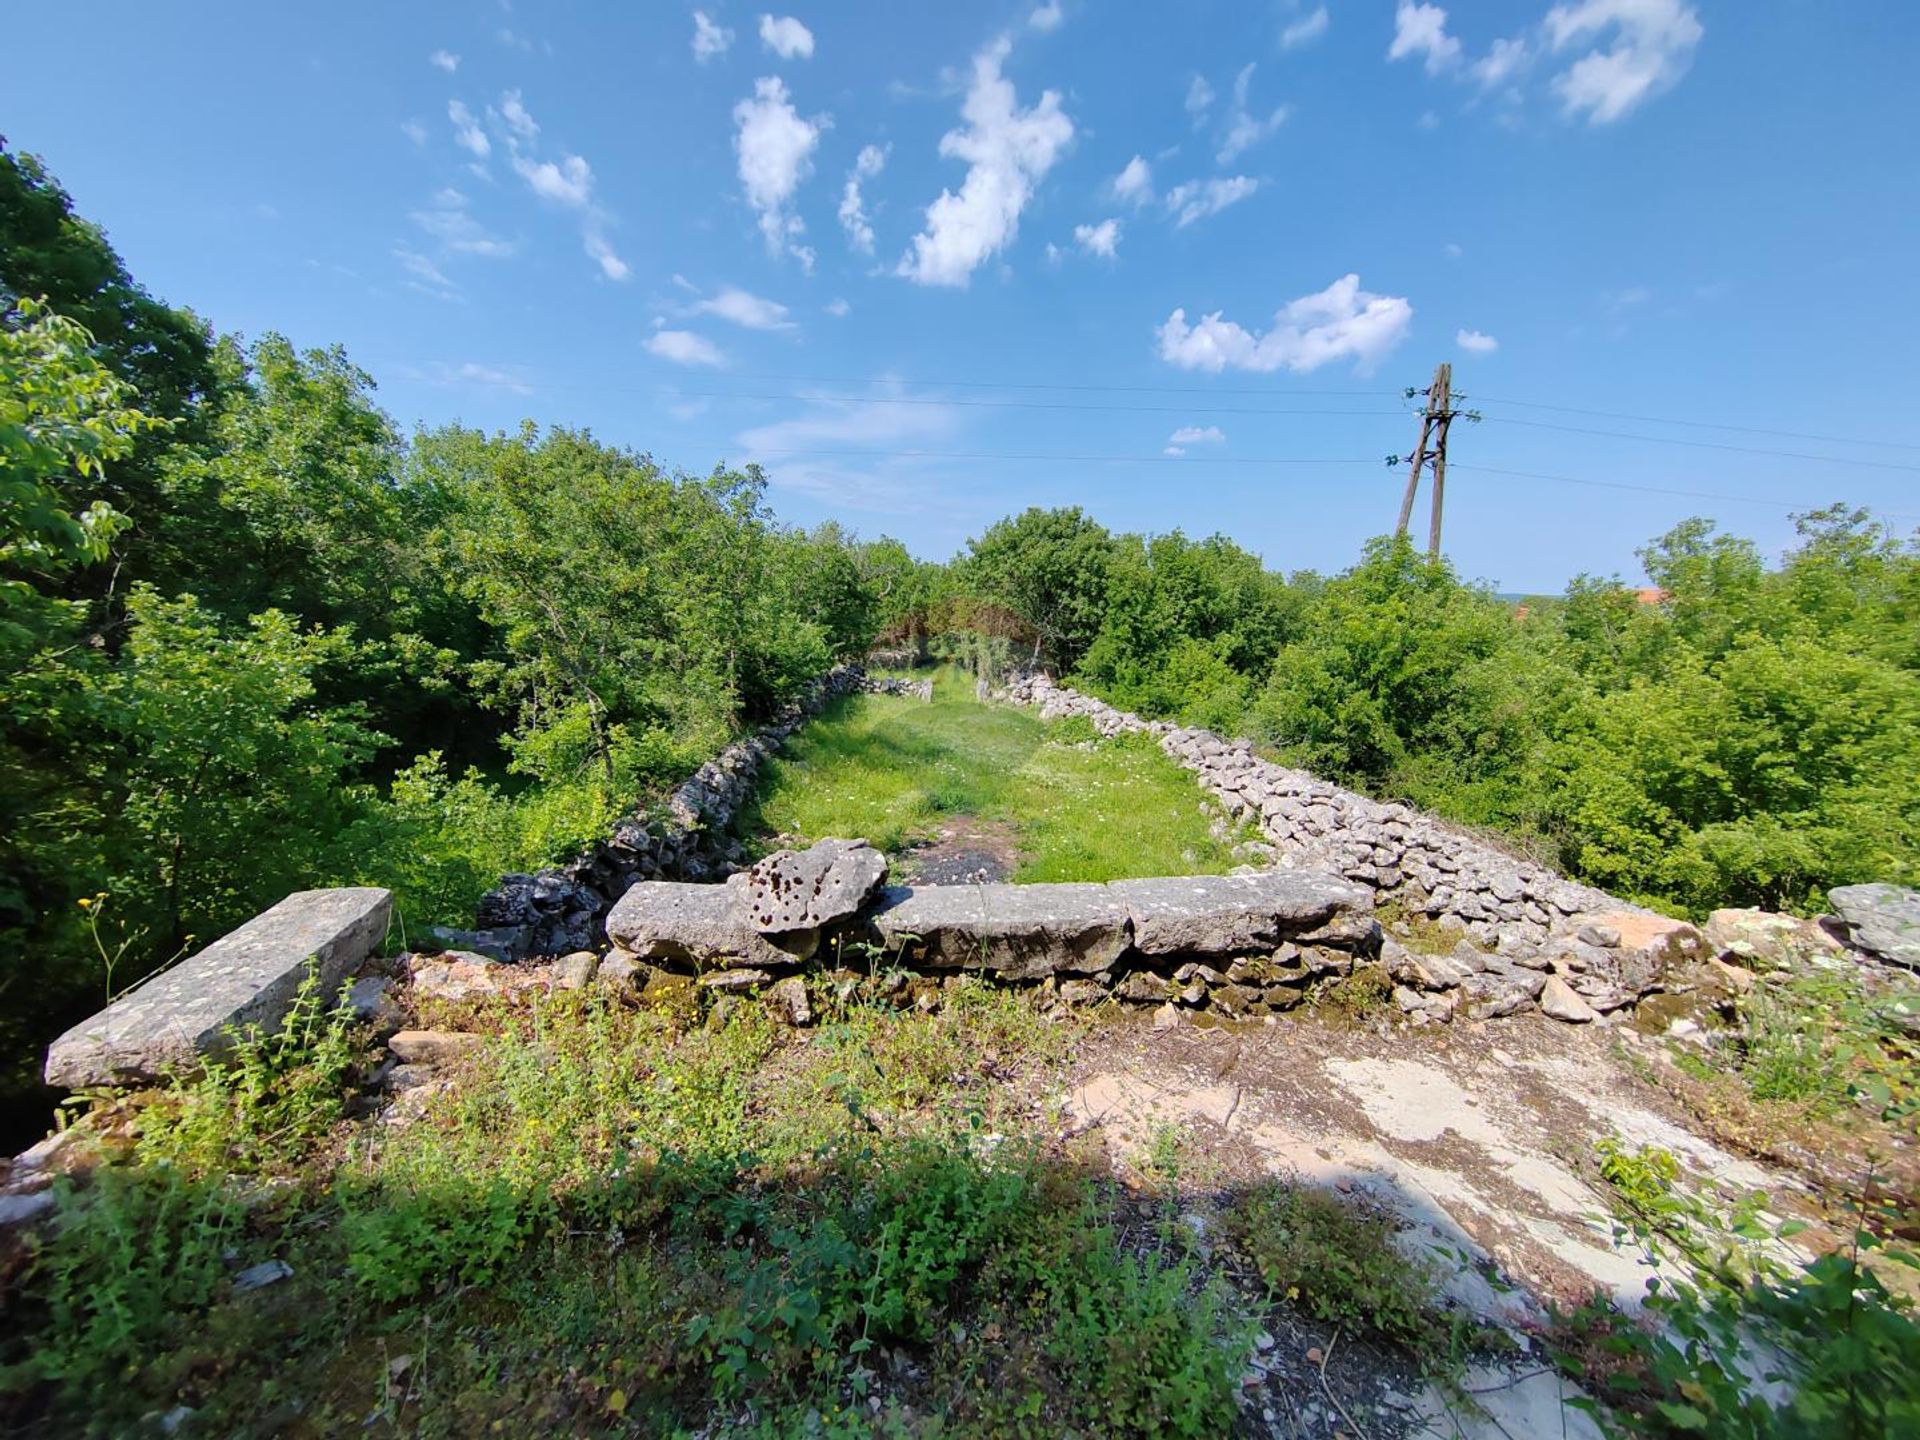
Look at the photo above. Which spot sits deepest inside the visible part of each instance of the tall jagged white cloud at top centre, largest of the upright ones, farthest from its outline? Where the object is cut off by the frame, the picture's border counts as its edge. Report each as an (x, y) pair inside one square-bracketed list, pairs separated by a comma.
[(1007, 151)]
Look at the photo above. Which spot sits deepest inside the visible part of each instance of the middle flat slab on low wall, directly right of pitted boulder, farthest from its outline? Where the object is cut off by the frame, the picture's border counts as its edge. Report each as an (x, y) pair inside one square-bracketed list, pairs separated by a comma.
[(1019, 932)]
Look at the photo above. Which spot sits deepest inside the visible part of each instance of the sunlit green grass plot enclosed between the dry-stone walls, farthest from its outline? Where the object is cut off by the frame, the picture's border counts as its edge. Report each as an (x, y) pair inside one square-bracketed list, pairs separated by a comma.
[(892, 771)]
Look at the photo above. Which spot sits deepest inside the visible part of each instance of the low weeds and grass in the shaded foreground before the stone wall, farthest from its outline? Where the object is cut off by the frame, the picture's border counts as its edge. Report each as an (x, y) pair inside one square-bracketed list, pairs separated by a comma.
[(612, 1224)]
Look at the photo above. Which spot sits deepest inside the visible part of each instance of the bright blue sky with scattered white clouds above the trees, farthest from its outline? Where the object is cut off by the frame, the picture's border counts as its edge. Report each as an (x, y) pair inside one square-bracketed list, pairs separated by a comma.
[(1174, 264)]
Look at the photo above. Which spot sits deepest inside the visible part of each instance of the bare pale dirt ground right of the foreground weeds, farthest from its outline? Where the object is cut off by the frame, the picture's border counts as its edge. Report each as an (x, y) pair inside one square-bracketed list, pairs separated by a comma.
[(1472, 1136)]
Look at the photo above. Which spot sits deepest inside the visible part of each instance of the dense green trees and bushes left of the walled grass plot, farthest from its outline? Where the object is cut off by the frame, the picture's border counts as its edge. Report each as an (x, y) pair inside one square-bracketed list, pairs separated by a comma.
[(254, 640)]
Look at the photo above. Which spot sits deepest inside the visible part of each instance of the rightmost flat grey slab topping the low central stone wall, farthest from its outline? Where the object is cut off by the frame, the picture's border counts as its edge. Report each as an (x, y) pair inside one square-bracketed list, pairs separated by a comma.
[(1234, 915)]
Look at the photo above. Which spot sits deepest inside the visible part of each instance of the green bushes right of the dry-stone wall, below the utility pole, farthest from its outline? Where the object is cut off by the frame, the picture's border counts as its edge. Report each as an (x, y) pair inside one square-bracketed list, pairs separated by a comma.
[(1735, 736)]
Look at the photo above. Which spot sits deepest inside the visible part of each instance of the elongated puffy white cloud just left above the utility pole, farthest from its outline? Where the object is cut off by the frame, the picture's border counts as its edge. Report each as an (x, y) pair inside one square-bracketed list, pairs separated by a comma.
[(1339, 324)]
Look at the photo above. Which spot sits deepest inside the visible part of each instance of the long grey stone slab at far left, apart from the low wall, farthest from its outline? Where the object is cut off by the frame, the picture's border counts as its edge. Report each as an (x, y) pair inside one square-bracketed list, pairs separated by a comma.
[(243, 982)]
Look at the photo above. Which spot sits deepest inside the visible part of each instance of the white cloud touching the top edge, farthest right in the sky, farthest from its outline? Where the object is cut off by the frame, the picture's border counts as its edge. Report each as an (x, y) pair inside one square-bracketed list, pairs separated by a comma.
[(1654, 45)]
